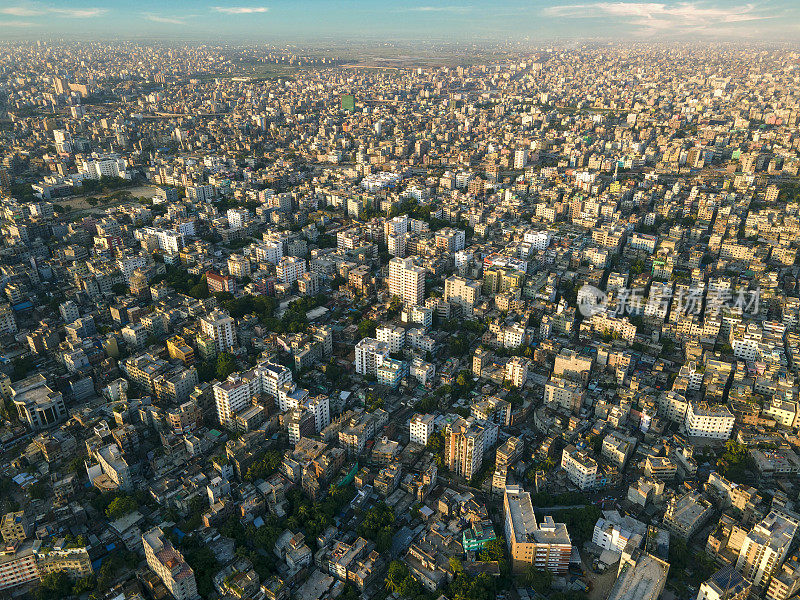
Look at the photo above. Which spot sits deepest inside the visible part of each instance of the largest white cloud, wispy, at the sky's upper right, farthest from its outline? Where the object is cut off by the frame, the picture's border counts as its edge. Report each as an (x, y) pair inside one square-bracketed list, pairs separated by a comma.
[(650, 18)]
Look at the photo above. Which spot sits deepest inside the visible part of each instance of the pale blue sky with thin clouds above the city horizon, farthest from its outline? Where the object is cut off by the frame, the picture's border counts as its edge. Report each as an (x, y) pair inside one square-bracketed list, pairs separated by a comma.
[(493, 20)]
